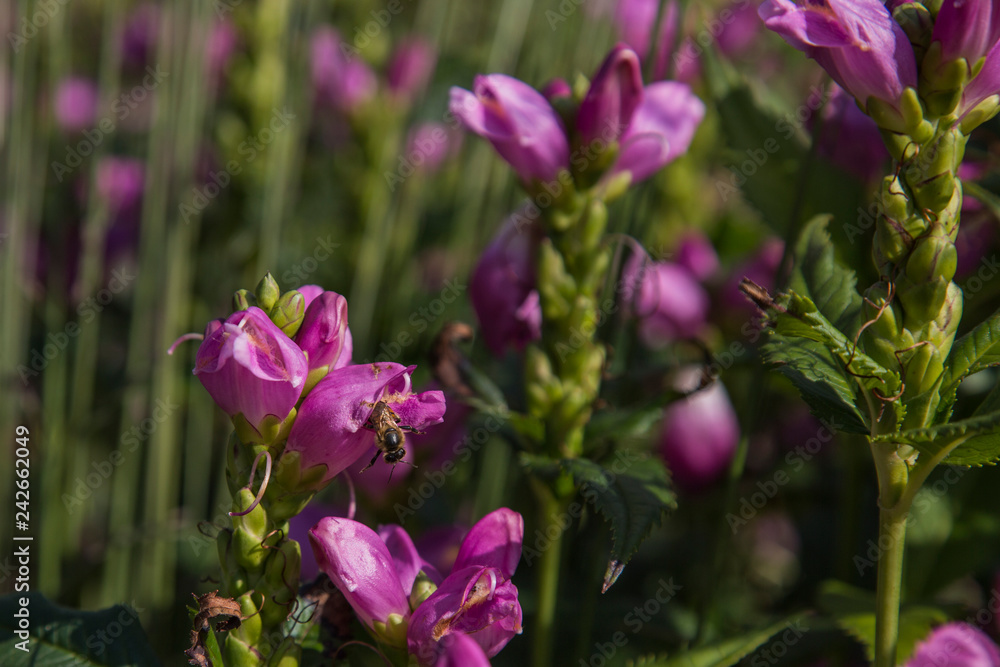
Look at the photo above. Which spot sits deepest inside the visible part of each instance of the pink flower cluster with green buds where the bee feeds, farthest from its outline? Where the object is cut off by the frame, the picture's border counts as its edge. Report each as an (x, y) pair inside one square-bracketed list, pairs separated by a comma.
[(285, 374)]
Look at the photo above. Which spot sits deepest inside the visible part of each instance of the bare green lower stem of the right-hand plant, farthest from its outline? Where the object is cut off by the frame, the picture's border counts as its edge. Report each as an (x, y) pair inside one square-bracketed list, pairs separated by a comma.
[(892, 532)]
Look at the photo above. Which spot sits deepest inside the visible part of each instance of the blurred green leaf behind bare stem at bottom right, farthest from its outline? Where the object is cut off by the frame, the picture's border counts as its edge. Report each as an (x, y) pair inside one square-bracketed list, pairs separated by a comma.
[(853, 610)]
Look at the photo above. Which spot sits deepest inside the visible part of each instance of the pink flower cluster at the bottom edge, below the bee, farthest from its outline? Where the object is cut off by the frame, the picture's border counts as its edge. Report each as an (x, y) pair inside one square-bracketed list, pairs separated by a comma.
[(462, 618)]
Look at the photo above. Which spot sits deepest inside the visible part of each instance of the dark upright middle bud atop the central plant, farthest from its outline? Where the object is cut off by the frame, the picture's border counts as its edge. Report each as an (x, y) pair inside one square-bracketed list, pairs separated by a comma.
[(614, 94)]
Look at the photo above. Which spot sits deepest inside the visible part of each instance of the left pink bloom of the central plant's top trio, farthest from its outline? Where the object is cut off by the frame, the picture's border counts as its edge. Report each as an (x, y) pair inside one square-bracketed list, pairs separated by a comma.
[(519, 122)]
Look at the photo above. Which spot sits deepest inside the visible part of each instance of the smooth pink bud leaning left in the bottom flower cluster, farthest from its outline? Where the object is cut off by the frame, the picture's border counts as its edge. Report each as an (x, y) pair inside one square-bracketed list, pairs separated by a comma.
[(360, 566)]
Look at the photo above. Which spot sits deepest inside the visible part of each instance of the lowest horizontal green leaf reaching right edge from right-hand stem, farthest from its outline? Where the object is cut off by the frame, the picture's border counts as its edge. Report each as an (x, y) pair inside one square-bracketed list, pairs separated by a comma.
[(970, 442)]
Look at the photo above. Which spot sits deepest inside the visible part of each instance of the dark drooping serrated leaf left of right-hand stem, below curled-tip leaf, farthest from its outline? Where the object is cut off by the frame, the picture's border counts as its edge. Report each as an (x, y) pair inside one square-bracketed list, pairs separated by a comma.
[(820, 381)]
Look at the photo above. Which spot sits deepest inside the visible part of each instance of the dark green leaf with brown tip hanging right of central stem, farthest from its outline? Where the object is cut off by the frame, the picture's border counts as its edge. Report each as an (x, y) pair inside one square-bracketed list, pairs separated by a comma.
[(633, 501)]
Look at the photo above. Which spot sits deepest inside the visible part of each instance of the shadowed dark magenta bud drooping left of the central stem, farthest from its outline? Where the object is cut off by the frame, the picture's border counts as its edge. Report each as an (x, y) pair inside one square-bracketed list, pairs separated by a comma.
[(502, 287)]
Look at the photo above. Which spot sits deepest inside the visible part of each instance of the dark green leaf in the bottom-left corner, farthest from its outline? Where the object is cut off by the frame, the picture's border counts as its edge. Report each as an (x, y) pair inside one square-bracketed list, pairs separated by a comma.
[(59, 636)]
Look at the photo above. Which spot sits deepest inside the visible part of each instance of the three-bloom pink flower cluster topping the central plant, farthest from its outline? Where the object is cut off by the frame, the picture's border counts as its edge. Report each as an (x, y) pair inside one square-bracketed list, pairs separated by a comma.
[(619, 126)]
